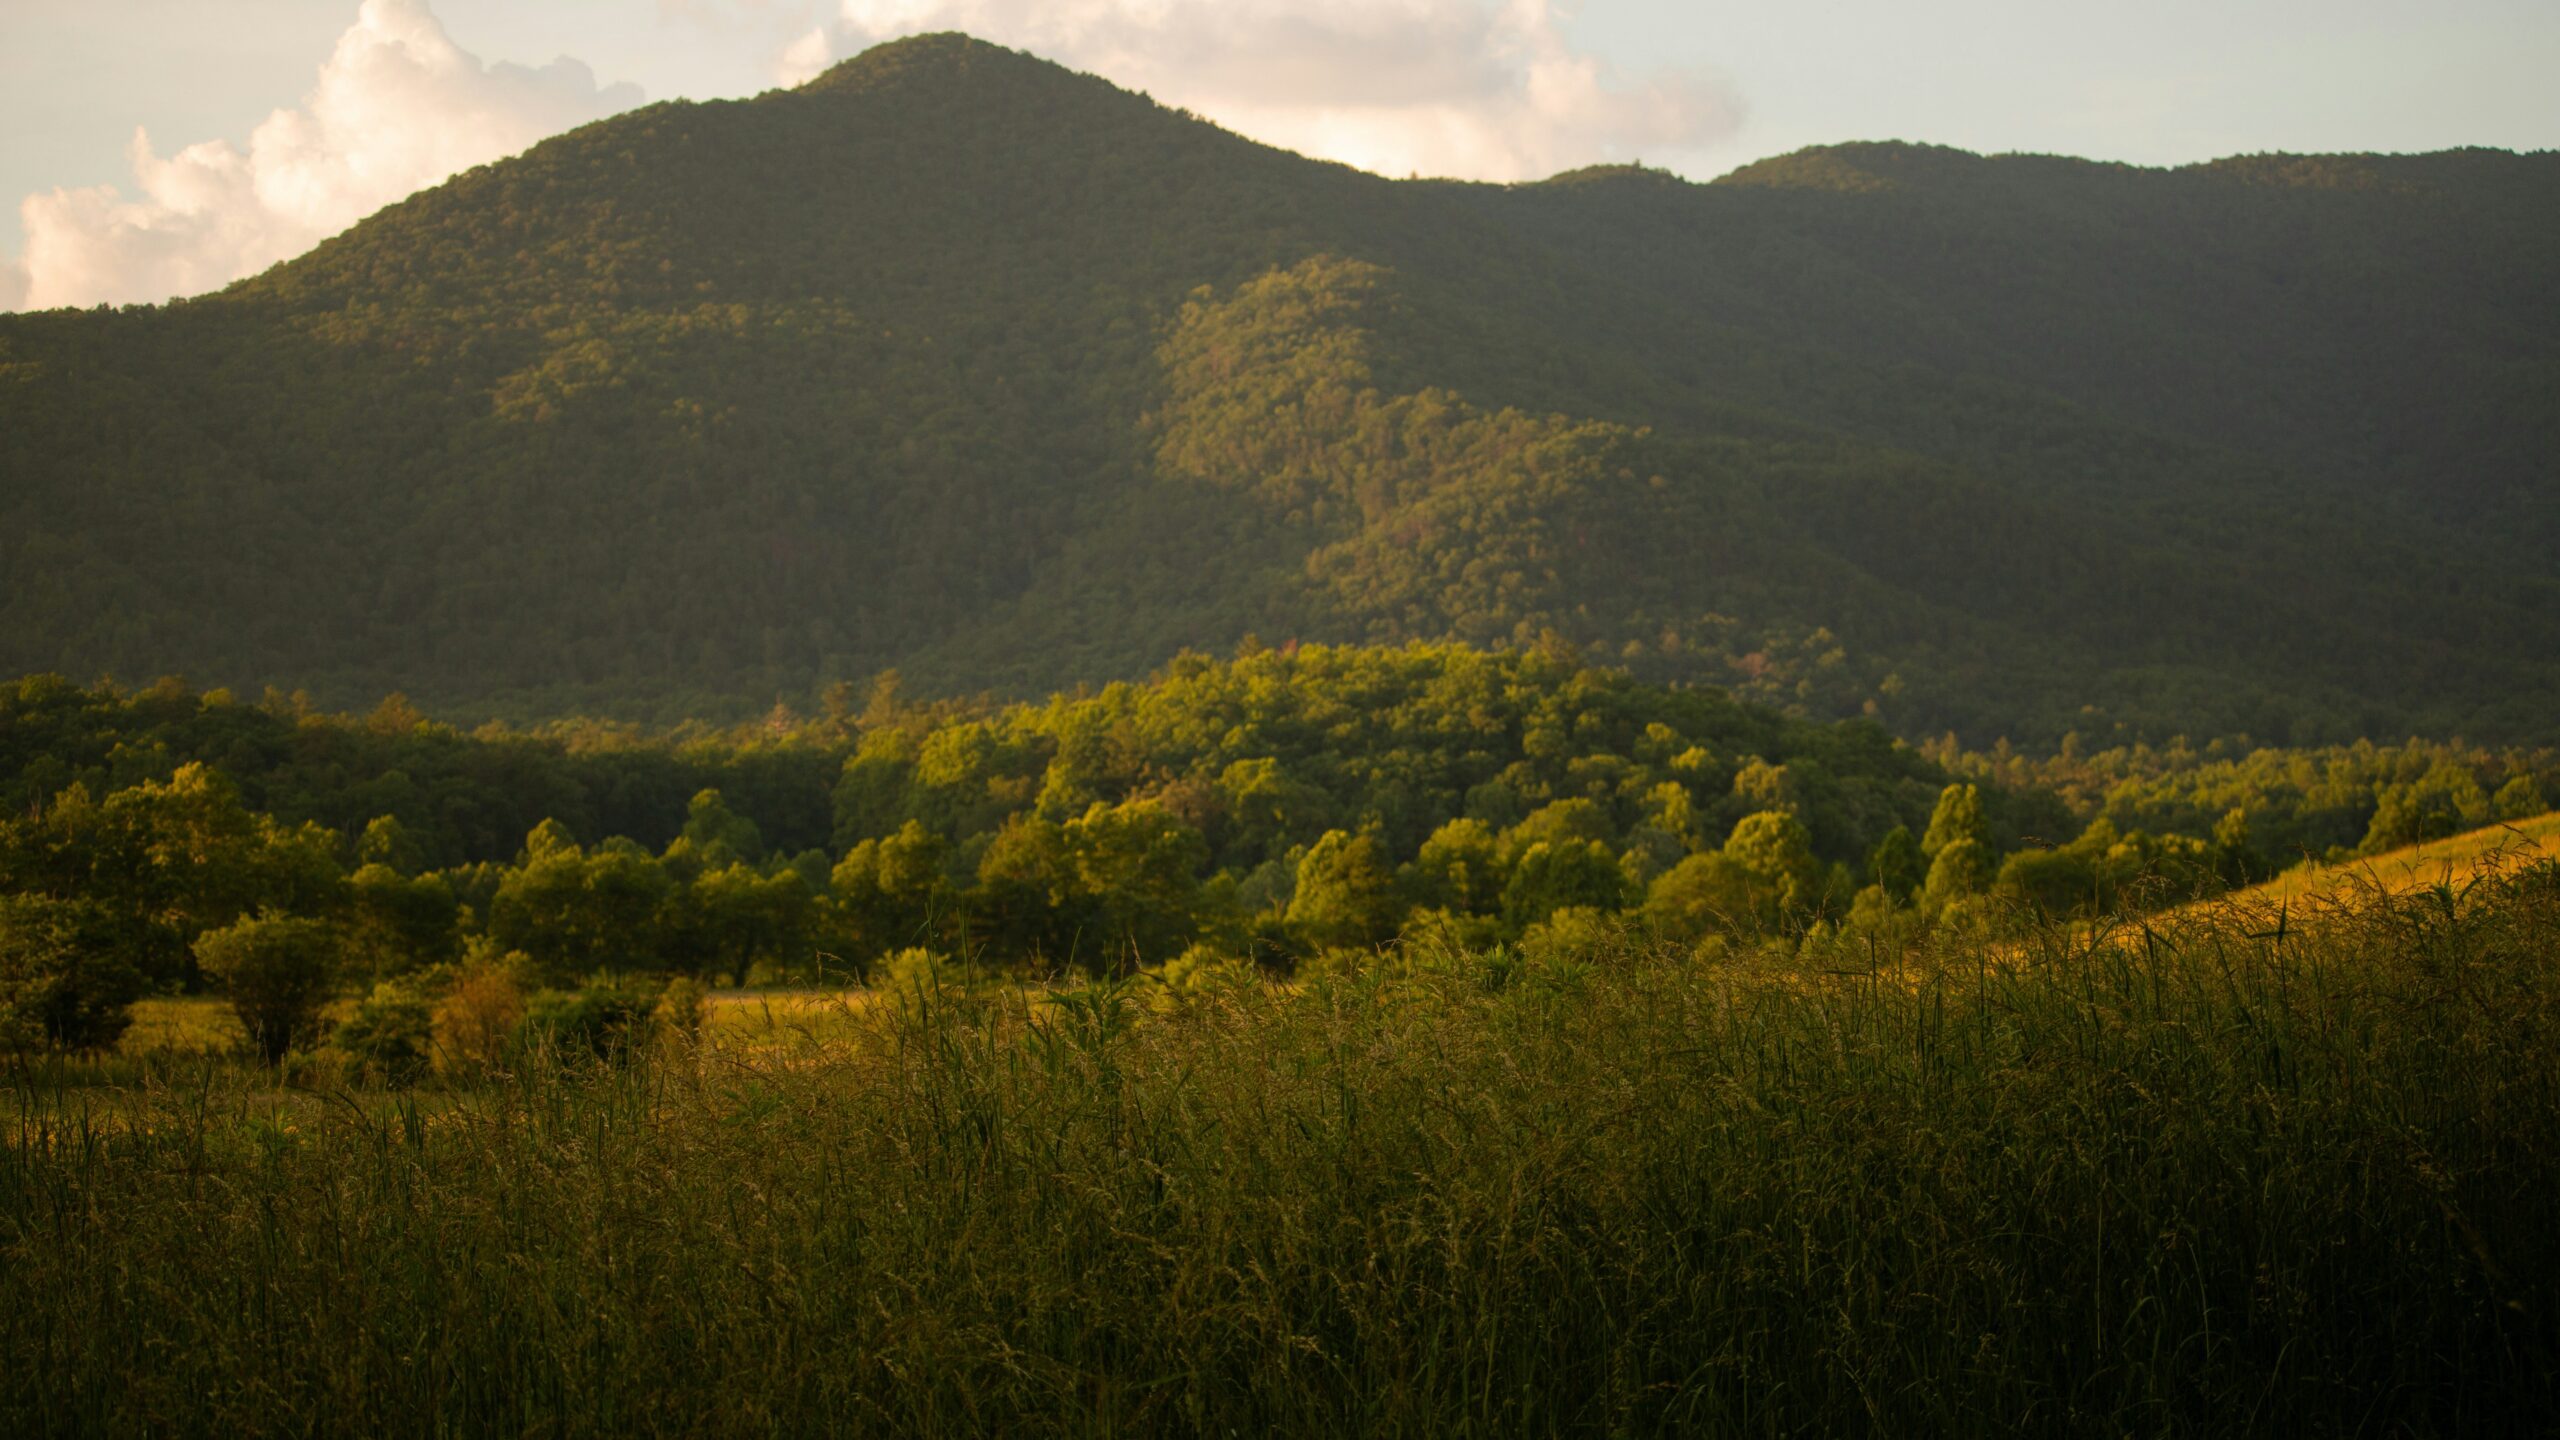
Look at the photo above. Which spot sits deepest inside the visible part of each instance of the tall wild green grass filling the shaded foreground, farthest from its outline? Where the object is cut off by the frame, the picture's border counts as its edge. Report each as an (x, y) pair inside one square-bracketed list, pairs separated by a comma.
[(2223, 1175)]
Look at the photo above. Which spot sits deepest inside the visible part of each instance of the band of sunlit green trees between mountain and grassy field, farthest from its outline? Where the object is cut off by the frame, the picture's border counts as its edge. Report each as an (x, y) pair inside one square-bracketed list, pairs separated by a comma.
[(1271, 808)]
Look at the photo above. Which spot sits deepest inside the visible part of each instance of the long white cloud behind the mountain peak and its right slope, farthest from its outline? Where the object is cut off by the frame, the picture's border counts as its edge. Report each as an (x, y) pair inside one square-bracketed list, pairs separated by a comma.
[(1394, 86)]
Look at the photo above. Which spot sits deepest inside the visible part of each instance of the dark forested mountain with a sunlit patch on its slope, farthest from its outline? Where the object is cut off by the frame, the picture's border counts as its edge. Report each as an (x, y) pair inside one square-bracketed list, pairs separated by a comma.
[(992, 373)]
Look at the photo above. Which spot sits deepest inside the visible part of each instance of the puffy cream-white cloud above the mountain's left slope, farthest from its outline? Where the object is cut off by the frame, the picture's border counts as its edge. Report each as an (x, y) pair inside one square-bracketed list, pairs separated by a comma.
[(393, 111)]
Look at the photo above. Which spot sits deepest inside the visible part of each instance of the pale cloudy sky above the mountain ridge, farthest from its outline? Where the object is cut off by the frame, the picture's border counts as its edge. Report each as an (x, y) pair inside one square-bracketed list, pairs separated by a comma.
[(168, 147)]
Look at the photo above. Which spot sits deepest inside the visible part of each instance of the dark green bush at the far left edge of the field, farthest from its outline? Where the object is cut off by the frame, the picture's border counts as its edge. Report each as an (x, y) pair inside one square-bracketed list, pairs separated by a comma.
[(63, 980)]
